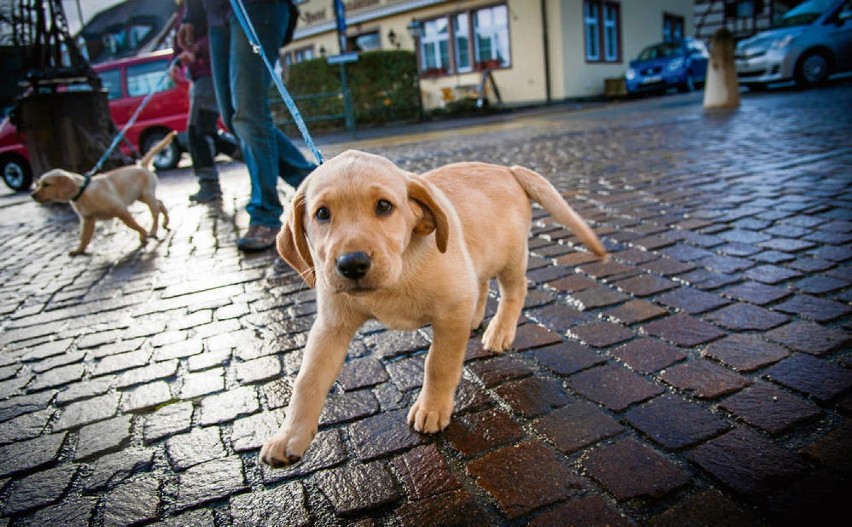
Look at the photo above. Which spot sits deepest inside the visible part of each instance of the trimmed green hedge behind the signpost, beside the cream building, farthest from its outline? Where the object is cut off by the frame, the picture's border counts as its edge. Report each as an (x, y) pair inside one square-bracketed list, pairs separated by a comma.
[(383, 85)]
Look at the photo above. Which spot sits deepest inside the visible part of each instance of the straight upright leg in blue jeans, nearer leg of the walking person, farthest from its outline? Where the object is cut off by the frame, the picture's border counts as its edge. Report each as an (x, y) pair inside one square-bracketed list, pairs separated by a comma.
[(252, 120)]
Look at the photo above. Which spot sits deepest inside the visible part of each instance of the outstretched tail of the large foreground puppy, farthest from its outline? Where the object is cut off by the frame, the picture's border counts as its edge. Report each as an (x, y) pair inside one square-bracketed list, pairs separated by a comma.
[(543, 192)]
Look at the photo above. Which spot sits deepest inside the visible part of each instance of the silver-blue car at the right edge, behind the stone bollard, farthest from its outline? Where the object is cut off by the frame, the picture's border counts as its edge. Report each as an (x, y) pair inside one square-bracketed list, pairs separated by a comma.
[(811, 42)]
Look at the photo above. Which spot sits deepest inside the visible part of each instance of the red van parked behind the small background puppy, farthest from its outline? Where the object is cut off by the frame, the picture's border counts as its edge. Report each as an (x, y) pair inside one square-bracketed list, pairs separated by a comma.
[(127, 82)]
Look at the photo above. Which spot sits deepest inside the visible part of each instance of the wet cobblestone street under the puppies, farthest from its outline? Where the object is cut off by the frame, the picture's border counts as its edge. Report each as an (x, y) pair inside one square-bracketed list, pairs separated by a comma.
[(701, 377)]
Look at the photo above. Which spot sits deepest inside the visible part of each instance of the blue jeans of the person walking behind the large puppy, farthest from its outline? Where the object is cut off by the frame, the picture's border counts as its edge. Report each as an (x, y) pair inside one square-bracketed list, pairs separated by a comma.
[(242, 88)]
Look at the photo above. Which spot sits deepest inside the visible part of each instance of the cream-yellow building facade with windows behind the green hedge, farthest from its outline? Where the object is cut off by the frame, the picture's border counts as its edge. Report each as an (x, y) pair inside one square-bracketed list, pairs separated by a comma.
[(535, 50)]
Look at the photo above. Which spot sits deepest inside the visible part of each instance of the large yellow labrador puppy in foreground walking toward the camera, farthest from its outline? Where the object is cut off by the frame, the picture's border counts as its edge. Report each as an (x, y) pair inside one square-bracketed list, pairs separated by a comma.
[(408, 250)]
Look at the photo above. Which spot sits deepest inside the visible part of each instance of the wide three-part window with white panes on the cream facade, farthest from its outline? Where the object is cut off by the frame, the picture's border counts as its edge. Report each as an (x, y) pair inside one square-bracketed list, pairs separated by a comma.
[(466, 41)]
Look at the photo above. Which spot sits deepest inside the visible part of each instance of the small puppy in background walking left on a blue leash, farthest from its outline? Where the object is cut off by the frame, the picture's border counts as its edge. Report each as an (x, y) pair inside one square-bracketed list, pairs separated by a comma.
[(107, 195)]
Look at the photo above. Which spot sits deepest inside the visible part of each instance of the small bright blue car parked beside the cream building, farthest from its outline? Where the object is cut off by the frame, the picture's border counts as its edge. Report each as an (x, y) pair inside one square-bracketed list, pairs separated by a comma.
[(681, 64)]
